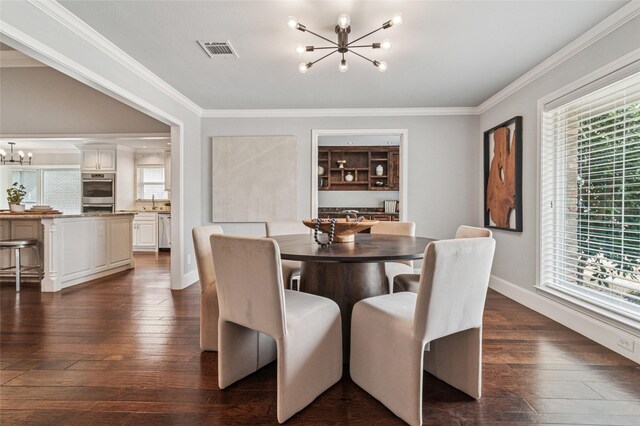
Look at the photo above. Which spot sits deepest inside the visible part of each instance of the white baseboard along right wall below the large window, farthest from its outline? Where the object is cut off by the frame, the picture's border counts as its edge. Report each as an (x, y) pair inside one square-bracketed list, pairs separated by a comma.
[(590, 327)]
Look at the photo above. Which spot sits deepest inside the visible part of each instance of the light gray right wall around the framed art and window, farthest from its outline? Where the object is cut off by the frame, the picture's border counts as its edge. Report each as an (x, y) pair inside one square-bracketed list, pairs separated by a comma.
[(515, 259)]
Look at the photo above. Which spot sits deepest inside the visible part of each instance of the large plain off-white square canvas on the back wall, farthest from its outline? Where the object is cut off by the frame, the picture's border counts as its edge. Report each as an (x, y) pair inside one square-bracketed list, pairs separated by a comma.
[(255, 178)]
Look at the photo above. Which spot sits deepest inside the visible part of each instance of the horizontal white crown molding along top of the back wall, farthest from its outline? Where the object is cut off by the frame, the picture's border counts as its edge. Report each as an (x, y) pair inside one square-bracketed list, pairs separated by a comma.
[(336, 112)]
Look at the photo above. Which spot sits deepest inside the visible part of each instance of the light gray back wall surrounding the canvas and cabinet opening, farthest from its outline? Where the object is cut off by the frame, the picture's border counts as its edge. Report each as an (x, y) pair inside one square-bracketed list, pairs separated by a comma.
[(443, 164)]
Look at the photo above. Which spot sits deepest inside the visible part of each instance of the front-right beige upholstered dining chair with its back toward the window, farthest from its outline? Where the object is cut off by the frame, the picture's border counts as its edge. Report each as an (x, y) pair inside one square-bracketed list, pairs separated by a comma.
[(389, 332)]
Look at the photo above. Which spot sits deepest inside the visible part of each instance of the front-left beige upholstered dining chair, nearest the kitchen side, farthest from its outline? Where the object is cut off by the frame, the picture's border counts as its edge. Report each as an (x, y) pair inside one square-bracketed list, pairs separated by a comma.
[(307, 328)]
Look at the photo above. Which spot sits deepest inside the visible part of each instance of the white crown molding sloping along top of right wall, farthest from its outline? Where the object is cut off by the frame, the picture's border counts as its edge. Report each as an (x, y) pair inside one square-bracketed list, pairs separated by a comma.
[(607, 26)]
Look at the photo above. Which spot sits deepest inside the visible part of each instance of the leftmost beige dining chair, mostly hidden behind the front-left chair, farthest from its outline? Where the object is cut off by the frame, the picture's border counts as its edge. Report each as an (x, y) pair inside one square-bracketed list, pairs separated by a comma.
[(208, 290)]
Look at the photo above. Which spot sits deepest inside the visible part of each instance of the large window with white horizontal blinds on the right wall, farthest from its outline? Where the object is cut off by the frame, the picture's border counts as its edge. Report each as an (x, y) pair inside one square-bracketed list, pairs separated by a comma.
[(590, 197)]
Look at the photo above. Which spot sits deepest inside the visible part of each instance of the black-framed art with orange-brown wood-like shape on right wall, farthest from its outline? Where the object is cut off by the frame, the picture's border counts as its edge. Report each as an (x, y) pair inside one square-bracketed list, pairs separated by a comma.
[(503, 176)]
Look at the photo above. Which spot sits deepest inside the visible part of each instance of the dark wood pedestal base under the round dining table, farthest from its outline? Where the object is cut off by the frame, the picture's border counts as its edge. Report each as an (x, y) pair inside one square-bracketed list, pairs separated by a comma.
[(346, 284)]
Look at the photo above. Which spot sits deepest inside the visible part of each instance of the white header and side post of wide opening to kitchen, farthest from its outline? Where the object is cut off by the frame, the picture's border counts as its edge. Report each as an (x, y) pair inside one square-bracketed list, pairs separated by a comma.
[(47, 32)]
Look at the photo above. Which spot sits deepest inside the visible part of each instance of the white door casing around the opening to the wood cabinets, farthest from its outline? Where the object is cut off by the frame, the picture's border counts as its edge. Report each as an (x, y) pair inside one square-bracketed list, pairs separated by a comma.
[(404, 156)]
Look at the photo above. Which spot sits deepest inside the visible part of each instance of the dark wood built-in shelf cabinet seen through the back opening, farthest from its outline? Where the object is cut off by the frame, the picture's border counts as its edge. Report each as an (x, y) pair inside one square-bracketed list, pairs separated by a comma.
[(363, 168)]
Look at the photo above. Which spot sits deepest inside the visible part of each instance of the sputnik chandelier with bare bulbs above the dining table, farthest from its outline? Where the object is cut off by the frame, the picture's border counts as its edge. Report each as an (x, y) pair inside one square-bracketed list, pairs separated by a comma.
[(343, 45)]
